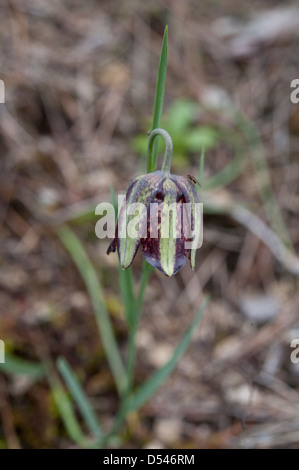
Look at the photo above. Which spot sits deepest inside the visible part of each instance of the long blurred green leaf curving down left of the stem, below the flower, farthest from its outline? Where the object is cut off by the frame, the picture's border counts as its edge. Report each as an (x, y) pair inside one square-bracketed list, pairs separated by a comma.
[(93, 286)]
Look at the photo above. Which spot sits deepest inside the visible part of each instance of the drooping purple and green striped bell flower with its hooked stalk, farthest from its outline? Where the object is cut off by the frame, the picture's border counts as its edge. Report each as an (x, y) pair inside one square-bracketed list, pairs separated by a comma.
[(169, 218)]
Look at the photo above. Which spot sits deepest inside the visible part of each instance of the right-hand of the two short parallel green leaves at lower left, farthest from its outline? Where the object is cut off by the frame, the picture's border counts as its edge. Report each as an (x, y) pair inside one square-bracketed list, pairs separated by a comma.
[(80, 397)]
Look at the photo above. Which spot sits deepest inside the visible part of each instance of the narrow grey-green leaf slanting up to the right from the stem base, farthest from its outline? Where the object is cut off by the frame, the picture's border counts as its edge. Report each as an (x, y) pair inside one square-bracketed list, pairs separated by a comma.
[(147, 390)]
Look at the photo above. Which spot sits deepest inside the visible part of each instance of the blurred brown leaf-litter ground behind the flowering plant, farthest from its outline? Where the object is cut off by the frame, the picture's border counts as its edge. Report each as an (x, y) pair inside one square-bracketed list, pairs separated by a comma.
[(80, 82)]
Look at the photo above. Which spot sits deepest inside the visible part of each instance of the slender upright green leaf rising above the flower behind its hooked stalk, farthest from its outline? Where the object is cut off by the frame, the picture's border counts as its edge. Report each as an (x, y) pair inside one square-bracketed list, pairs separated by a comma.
[(158, 103)]
